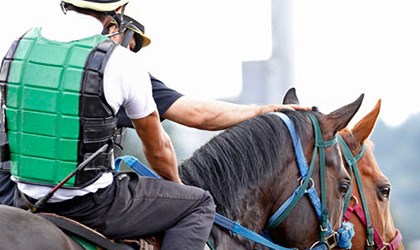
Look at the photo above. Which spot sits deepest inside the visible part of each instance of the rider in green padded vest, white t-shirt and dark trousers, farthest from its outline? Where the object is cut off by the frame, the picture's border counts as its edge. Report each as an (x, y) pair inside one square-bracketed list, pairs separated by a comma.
[(64, 86)]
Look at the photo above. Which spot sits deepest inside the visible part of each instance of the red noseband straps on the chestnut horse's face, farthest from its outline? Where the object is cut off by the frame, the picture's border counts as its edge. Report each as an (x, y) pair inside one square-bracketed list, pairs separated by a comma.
[(358, 210)]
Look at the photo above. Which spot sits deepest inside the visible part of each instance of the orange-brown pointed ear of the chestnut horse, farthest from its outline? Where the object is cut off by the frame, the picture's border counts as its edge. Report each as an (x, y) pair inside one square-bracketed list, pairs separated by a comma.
[(364, 127)]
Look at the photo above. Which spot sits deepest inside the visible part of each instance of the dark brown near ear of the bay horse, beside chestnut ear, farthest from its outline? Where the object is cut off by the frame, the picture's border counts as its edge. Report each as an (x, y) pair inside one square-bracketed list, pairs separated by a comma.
[(339, 119)]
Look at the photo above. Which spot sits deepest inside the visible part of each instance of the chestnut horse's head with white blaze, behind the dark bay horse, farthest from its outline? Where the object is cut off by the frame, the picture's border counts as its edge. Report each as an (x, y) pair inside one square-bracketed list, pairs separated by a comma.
[(373, 188)]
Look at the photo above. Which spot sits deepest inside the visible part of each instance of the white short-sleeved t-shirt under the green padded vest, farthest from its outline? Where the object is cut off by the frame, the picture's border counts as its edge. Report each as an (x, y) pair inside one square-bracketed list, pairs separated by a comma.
[(126, 83)]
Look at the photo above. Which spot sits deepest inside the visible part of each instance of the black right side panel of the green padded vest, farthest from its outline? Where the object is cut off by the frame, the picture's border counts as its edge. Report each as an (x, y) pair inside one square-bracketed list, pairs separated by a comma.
[(98, 121)]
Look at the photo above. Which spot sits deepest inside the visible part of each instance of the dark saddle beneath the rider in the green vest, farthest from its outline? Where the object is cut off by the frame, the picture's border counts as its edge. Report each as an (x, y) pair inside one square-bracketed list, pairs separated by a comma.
[(85, 235)]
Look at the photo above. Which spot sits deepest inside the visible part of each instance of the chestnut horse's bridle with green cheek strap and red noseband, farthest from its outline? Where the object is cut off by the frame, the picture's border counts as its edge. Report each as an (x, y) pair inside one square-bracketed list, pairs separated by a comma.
[(372, 235)]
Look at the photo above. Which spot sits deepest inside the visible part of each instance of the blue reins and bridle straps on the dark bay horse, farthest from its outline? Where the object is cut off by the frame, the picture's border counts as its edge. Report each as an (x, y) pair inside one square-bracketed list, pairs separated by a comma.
[(320, 207)]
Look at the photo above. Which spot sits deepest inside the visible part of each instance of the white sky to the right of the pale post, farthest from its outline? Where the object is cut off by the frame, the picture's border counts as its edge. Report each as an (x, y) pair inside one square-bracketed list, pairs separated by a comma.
[(370, 46)]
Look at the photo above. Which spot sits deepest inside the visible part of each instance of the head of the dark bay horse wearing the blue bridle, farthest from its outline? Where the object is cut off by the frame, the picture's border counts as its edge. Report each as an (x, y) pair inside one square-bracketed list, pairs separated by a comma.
[(337, 181)]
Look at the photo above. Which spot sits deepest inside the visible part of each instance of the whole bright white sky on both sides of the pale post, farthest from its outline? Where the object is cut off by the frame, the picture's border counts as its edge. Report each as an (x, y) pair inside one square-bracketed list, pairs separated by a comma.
[(341, 48)]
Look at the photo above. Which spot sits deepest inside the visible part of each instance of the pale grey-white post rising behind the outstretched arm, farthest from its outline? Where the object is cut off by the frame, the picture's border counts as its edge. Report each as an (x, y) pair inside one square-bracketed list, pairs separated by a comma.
[(267, 81)]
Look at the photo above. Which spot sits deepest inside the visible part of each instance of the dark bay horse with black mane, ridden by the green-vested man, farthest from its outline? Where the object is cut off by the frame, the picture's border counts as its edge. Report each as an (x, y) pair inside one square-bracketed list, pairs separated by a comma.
[(251, 170)]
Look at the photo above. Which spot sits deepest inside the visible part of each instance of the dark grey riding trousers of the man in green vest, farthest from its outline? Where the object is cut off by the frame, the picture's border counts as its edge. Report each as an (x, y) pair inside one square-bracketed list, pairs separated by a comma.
[(134, 207)]
